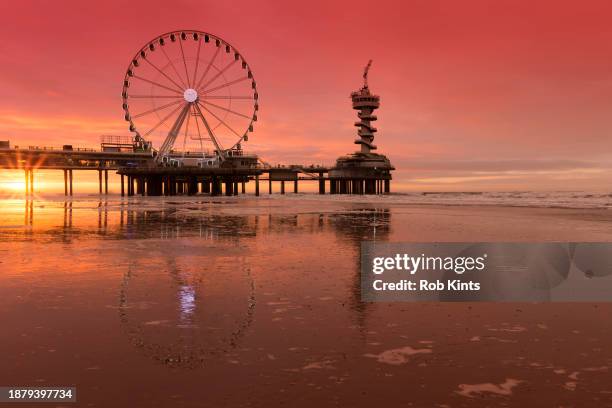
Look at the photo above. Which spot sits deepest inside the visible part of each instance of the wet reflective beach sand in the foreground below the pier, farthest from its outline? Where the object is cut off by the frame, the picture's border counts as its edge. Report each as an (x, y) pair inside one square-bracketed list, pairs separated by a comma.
[(189, 302)]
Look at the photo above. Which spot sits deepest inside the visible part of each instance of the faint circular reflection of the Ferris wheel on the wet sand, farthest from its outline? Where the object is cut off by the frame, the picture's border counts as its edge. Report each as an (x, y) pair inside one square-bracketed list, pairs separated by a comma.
[(181, 317)]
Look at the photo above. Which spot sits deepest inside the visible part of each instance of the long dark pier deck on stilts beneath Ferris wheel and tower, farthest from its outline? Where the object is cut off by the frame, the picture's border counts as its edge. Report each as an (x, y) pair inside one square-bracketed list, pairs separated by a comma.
[(141, 176)]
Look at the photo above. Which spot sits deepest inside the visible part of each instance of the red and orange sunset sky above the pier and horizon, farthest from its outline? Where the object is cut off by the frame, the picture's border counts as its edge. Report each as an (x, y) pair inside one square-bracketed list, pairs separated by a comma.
[(476, 95)]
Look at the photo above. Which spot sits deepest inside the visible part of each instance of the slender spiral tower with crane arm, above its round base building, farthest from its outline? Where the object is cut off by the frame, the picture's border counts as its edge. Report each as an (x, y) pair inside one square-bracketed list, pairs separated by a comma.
[(365, 103)]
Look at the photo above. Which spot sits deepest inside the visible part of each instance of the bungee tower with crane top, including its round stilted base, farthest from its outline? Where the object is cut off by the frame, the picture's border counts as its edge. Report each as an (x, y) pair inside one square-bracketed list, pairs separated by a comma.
[(363, 172)]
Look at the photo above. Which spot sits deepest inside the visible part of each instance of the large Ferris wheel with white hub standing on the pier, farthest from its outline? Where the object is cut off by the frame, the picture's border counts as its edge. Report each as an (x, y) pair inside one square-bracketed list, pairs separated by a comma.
[(194, 90)]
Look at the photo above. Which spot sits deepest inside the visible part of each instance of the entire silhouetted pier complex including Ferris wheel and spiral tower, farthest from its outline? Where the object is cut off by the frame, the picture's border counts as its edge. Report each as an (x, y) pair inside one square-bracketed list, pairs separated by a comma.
[(146, 171)]
